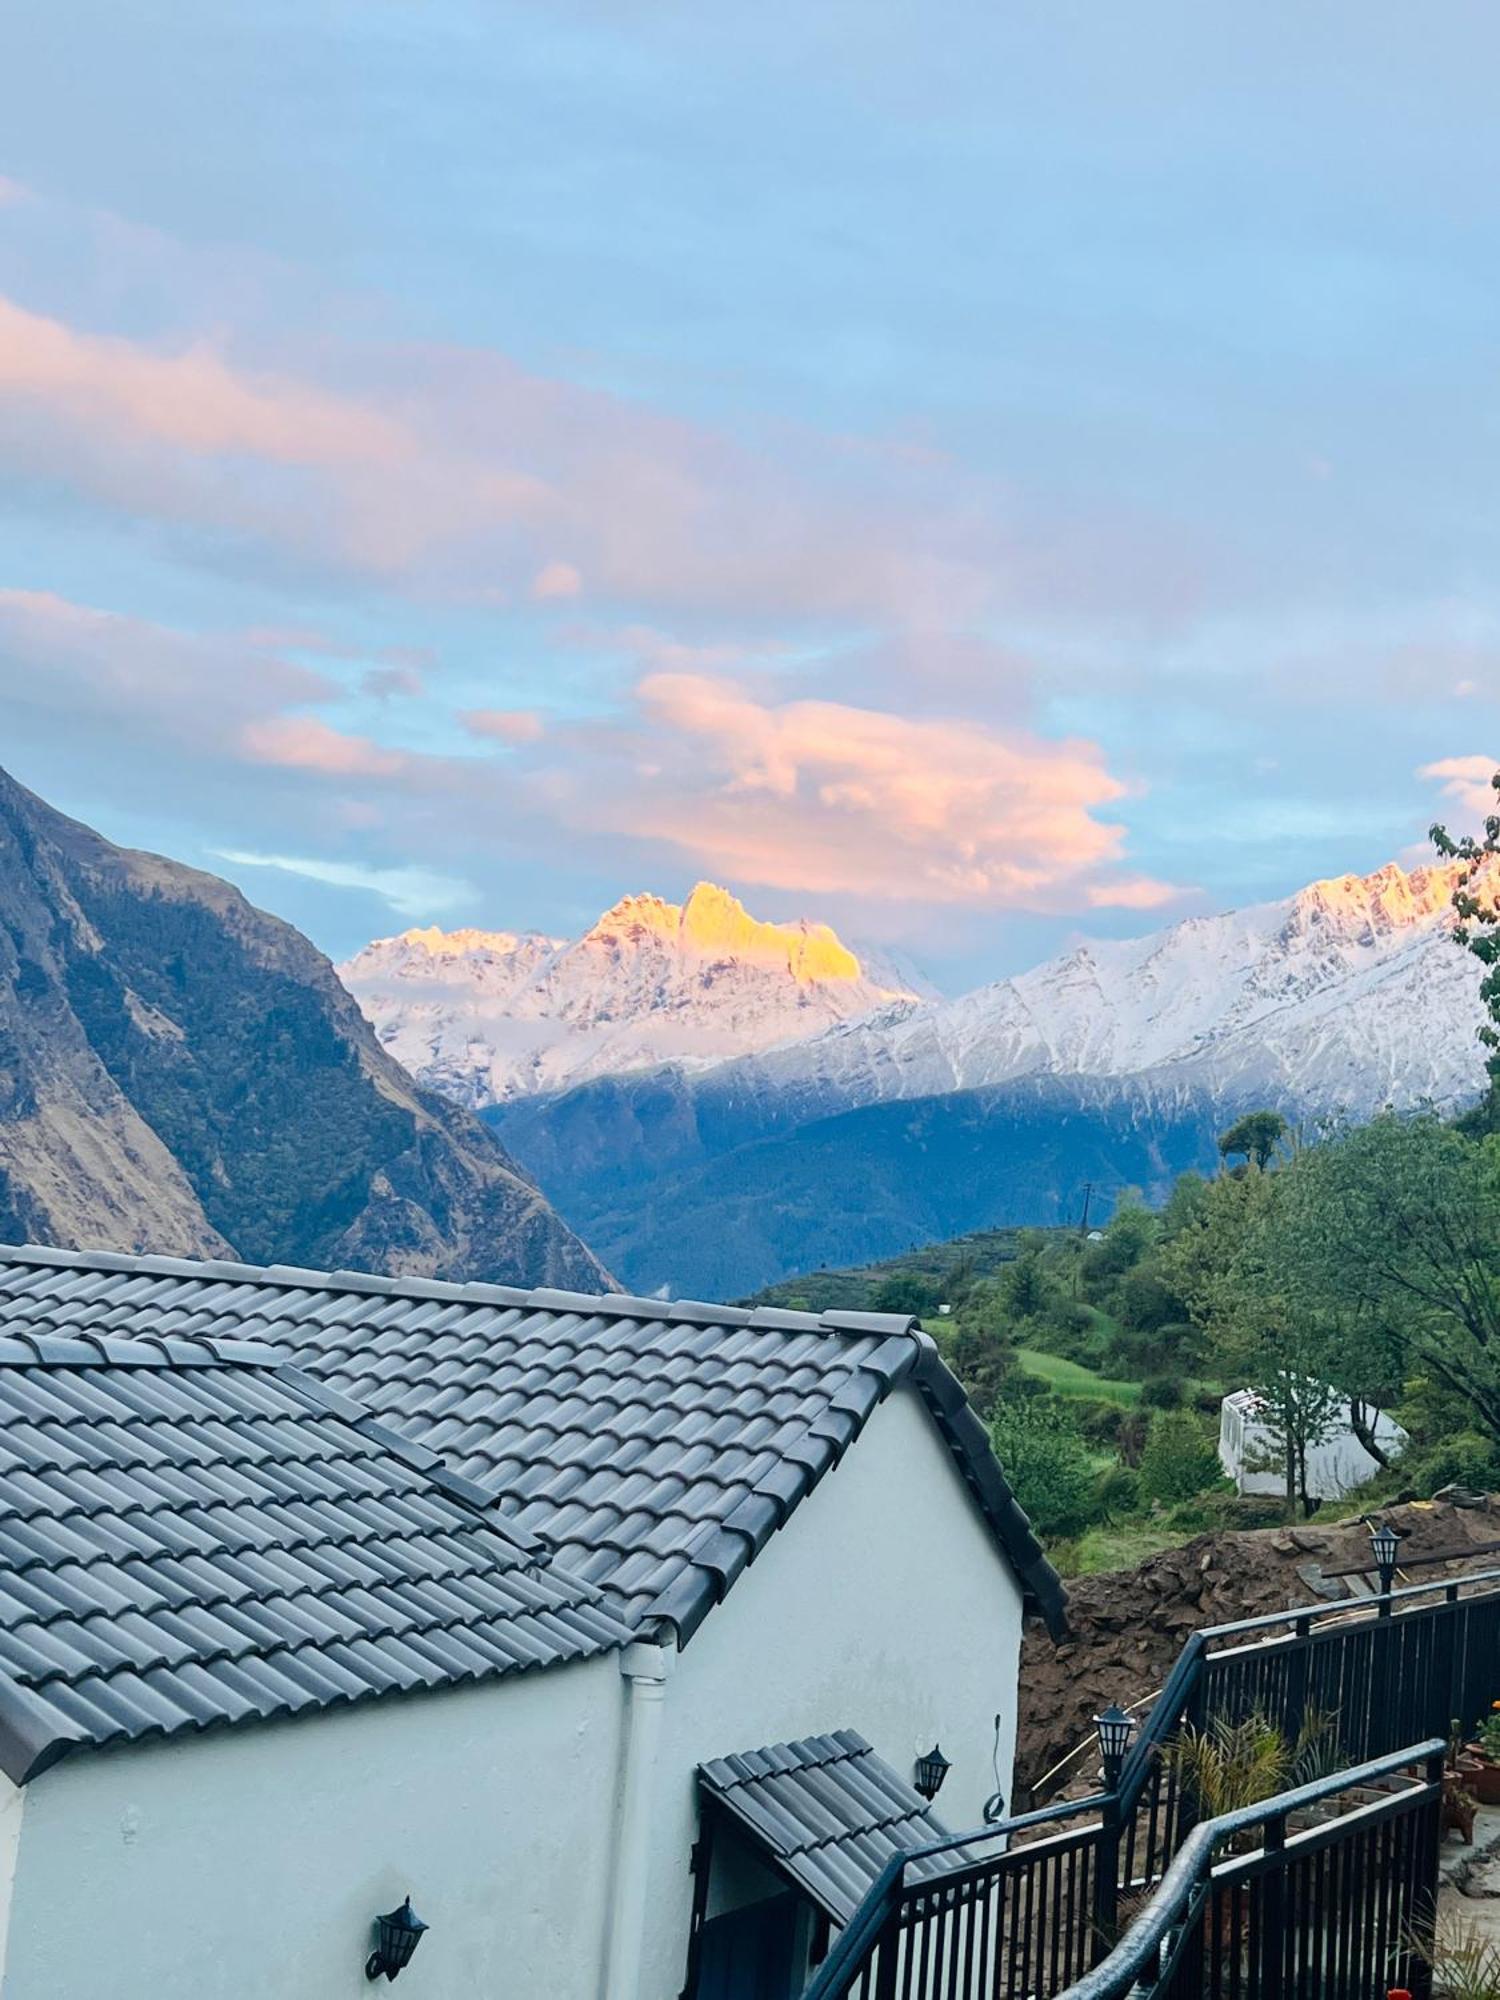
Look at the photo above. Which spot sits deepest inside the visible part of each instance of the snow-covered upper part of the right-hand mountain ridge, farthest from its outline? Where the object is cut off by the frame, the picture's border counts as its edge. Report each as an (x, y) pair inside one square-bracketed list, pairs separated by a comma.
[(1337, 1001)]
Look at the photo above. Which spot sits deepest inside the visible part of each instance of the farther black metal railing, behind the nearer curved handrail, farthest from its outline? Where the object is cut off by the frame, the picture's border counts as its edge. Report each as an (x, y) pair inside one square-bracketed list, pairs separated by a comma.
[(1023, 1909)]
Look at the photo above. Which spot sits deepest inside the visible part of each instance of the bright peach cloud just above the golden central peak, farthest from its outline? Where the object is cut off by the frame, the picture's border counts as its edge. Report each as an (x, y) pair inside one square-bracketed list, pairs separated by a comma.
[(833, 799)]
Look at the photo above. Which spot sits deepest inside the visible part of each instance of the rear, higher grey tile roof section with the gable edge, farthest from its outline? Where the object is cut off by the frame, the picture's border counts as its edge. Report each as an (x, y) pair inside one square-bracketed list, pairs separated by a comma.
[(653, 1447)]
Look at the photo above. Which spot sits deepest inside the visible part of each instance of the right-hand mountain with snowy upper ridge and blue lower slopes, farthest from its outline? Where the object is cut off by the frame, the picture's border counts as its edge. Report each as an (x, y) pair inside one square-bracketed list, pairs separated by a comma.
[(1113, 1065)]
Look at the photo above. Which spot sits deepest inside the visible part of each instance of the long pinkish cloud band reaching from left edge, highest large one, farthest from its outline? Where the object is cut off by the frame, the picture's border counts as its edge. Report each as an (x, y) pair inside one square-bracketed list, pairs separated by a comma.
[(453, 473)]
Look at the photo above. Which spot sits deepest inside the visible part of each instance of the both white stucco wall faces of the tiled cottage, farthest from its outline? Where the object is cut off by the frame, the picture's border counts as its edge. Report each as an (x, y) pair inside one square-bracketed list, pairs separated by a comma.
[(251, 1861)]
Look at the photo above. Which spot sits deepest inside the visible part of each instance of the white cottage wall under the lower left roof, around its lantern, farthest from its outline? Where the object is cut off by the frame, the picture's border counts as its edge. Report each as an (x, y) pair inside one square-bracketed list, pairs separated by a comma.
[(251, 1861)]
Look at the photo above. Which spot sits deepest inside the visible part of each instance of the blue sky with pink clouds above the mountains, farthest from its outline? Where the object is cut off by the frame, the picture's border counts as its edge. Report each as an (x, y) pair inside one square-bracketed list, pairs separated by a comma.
[(977, 475)]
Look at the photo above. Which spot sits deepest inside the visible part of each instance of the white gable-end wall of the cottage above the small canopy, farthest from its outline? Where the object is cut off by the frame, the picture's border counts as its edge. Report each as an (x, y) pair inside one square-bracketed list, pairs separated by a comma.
[(881, 1607)]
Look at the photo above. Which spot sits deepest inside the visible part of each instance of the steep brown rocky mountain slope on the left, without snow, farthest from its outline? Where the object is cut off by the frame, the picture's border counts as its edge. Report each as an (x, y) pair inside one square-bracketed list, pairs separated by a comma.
[(183, 1073)]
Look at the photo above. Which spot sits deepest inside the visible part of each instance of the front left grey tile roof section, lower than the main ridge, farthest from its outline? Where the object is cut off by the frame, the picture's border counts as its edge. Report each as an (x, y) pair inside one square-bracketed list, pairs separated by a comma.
[(193, 1533)]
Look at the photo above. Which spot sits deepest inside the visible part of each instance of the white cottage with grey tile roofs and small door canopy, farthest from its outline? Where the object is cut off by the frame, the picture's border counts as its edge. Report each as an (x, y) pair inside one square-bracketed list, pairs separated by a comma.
[(607, 1631)]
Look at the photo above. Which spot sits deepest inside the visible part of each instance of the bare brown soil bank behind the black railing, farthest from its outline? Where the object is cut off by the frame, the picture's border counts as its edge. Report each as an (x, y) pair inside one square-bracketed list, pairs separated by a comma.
[(1127, 1627)]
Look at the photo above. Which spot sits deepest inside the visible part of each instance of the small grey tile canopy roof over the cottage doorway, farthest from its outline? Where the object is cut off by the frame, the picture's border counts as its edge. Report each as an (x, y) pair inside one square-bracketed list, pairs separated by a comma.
[(825, 1811)]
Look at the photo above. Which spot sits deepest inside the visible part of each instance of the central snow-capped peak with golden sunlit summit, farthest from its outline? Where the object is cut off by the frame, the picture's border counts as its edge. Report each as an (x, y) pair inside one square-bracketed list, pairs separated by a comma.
[(489, 1017)]
